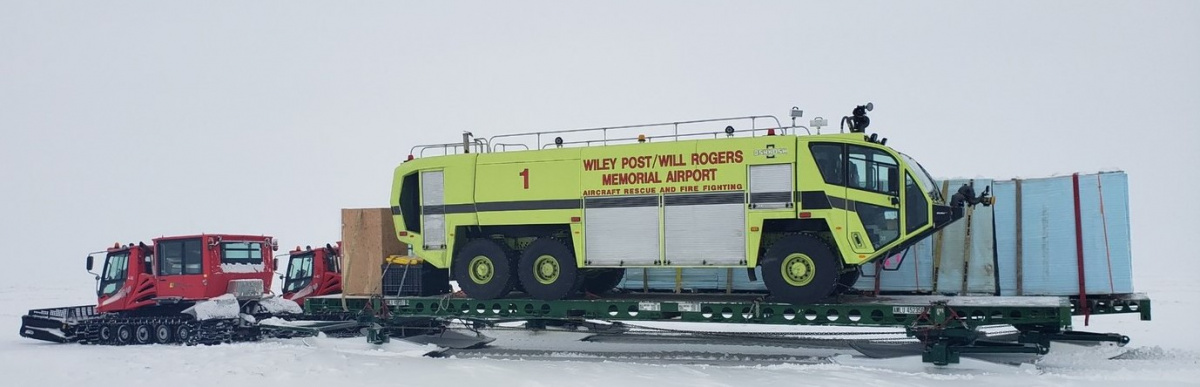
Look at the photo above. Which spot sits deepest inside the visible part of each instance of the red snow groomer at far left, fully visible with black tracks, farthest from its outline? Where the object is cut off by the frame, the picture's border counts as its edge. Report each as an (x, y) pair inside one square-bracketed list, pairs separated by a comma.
[(202, 289)]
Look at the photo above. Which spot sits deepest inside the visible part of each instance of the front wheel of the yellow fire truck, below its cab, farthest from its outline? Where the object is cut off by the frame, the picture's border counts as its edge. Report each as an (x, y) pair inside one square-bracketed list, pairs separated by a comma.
[(813, 266)]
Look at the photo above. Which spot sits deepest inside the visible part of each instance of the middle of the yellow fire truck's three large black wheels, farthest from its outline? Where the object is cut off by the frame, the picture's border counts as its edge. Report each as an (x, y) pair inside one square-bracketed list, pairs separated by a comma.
[(548, 271)]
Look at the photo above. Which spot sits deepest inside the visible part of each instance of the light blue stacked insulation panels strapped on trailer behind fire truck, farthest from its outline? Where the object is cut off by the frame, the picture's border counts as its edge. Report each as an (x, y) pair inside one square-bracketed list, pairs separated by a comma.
[(1023, 246)]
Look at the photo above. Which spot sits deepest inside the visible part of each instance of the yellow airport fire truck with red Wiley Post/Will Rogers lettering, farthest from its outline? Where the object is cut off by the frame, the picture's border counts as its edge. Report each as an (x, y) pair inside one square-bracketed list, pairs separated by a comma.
[(572, 216)]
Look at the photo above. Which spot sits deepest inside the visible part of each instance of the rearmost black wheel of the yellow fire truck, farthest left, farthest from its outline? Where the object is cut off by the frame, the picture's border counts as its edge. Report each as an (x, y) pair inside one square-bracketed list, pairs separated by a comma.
[(493, 276)]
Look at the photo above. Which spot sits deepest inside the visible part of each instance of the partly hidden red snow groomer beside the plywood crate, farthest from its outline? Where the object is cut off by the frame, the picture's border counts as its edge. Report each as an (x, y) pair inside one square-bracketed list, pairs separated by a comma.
[(314, 272)]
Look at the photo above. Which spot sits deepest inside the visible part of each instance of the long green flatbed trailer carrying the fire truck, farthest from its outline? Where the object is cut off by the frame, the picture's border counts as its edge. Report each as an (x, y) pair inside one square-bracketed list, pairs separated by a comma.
[(947, 326)]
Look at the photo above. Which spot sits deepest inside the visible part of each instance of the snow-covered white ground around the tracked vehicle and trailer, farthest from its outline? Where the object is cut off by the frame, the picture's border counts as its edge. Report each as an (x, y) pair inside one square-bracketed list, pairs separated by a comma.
[(1163, 352)]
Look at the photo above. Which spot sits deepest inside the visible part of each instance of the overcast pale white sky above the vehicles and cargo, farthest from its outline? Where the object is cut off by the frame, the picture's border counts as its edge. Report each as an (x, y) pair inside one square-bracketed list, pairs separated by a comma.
[(124, 121)]
